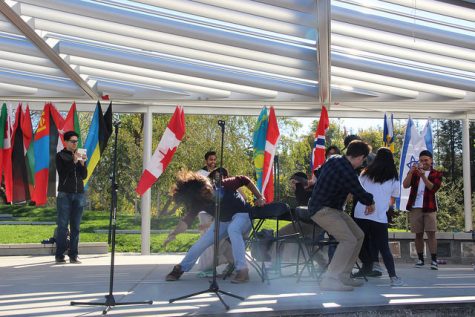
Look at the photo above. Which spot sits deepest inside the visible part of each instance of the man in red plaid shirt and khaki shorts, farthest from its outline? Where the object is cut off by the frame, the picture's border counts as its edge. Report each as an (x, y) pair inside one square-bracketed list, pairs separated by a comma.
[(424, 182)]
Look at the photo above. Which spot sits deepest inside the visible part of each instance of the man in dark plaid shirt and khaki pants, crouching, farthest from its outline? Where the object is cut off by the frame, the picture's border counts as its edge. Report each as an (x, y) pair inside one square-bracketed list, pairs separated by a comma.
[(338, 179)]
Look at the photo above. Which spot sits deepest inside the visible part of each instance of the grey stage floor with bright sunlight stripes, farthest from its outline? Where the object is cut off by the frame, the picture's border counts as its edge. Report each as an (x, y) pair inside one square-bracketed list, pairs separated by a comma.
[(35, 286)]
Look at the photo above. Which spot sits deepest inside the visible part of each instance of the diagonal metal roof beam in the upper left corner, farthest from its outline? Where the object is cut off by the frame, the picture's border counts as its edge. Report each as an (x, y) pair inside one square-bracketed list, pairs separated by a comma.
[(16, 20)]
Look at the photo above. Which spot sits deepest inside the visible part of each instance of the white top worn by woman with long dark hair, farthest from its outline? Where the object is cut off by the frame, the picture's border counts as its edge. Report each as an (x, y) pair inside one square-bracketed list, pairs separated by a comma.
[(382, 194)]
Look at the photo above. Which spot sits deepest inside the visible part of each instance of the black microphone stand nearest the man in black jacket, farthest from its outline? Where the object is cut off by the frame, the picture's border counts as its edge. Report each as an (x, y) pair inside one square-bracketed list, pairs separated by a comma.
[(110, 300)]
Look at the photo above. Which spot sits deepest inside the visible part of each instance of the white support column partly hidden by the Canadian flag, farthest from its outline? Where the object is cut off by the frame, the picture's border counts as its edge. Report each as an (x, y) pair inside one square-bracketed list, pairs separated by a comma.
[(147, 196)]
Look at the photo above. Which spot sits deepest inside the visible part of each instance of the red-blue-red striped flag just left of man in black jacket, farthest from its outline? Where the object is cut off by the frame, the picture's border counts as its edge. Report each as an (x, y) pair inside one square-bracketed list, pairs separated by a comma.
[(45, 149)]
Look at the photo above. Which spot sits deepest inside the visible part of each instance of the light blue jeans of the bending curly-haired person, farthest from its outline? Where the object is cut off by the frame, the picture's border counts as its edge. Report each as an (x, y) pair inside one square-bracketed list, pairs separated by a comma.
[(239, 225)]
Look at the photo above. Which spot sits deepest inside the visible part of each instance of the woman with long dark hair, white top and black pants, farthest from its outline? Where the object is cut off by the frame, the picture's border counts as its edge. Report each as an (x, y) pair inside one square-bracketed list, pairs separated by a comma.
[(380, 179)]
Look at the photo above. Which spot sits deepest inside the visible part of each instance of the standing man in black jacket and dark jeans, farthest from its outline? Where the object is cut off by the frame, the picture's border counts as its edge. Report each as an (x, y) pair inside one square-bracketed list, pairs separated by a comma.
[(72, 170)]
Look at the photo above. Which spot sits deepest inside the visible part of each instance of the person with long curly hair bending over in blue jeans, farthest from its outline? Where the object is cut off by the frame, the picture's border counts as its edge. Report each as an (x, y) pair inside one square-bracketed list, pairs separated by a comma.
[(197, 193)]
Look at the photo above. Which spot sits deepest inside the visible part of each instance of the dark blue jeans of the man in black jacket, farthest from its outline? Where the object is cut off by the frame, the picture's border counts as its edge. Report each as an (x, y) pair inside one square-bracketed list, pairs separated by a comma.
[(69, 207)]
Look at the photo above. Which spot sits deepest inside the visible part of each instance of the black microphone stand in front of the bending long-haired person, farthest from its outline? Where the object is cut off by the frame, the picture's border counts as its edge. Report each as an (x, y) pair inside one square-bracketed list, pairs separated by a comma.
[(214, 287)]
